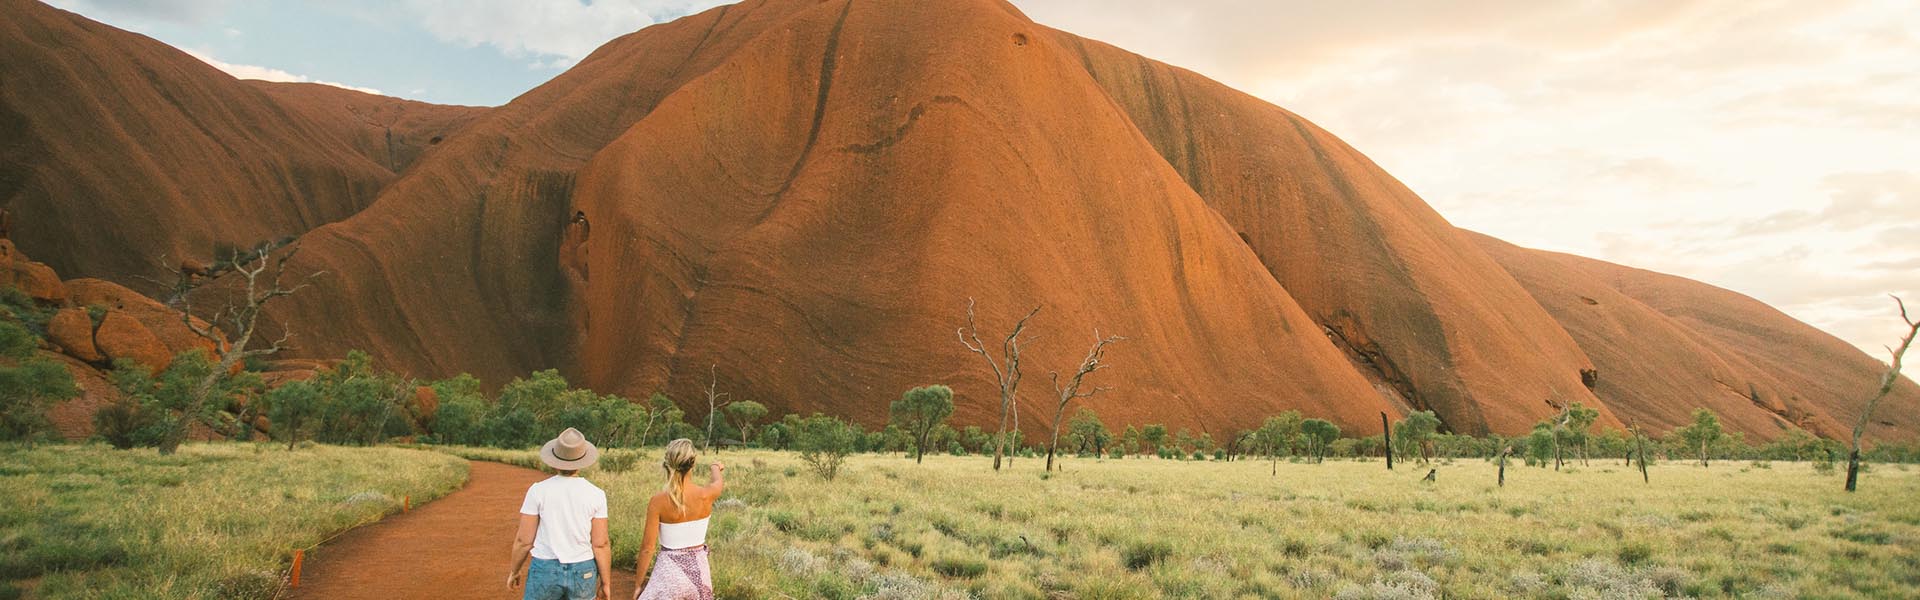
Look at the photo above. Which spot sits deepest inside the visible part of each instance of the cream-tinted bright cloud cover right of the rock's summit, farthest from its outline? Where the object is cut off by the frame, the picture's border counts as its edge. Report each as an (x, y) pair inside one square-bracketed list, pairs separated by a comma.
[(1765, 147)]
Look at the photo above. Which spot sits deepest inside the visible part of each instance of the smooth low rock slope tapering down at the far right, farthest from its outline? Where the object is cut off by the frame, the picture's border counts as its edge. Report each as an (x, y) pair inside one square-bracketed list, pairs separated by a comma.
[(1669, 345)]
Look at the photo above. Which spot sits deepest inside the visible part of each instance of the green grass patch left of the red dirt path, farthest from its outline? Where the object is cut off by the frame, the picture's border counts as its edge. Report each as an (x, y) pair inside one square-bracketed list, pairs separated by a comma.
[(210, 522)]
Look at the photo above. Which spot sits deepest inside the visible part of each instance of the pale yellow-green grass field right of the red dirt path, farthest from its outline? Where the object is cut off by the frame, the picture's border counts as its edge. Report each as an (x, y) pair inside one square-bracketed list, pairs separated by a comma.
[(1341, 530)]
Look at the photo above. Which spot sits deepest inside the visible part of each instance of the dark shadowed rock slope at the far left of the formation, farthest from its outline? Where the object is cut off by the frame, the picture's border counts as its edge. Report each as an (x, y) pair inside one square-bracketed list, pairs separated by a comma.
[(118, 151)]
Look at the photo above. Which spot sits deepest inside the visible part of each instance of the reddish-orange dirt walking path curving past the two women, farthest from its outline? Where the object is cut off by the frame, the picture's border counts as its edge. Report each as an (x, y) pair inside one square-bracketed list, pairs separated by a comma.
[(454, 547)]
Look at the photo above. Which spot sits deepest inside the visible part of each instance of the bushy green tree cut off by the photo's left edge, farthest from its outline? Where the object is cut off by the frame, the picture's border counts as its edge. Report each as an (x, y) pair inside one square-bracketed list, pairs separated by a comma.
[(30, 386)]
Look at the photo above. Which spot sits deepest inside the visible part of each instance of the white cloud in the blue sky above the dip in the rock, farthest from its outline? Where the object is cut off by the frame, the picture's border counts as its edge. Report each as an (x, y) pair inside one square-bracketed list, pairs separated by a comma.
[(552, 34)]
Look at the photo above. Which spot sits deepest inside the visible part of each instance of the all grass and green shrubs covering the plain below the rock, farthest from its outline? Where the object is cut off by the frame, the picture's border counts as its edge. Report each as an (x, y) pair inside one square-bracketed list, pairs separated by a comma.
[(825, 509)]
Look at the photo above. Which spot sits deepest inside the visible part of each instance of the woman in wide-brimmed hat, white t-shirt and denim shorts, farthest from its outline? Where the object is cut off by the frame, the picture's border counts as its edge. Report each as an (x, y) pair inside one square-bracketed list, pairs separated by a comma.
[(564, 528)]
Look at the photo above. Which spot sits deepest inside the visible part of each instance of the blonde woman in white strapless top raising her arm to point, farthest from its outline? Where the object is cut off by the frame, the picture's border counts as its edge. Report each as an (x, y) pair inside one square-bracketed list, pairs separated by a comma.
[(675, 541)]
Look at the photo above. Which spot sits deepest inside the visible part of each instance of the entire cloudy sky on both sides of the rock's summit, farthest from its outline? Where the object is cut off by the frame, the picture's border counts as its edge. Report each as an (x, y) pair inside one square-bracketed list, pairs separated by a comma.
[(1758, 145)]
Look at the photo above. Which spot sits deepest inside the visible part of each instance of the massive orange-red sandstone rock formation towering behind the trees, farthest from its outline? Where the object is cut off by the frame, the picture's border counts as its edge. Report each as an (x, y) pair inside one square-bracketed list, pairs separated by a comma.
[(800, 197)]
